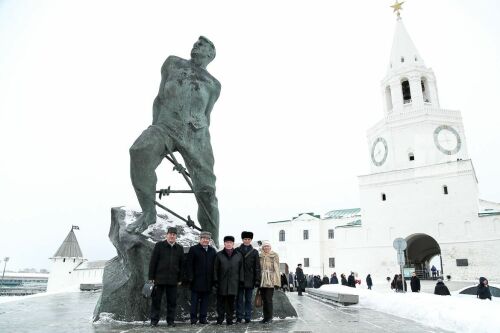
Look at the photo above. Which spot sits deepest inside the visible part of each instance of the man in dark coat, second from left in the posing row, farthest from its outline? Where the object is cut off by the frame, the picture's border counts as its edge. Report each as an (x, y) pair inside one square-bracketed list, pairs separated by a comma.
[(200, 274)]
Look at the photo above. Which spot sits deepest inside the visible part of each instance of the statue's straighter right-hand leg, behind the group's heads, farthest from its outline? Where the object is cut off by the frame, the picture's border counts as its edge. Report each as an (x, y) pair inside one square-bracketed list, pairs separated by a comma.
[(200, 164)]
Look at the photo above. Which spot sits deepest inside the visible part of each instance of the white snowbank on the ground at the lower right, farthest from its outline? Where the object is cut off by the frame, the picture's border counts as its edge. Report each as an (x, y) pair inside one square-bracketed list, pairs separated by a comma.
[(453, 313)]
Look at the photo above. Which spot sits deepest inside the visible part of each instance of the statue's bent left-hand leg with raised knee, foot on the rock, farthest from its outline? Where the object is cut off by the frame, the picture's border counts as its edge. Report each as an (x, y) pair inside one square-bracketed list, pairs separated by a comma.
[(146, 154)]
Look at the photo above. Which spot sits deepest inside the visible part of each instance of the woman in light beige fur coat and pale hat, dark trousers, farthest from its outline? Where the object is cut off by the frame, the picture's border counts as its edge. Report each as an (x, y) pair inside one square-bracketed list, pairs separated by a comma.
[(270, 265)]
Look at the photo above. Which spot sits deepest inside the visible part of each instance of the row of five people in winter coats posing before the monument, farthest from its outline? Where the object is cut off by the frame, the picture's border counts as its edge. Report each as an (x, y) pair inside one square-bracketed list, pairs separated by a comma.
[(232, 274)]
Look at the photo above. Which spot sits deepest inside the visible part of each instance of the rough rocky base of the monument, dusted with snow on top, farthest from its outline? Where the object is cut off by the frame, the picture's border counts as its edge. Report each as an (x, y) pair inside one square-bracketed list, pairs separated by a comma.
[(125, 274)]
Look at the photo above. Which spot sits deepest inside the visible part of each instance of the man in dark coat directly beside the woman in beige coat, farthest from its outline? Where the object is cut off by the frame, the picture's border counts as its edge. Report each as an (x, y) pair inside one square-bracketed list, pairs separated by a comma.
[(252, 275)]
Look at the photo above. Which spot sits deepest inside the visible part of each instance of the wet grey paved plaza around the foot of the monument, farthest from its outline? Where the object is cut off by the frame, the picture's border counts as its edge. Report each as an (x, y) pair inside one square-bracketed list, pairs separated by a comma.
[(72, 312)]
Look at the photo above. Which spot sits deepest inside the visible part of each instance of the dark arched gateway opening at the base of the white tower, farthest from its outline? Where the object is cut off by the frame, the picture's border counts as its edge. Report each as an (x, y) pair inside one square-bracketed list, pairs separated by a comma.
[(421, 248)]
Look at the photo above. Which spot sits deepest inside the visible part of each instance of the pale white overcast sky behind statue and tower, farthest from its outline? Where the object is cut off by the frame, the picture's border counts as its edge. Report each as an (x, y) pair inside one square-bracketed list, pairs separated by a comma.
[(300, 87)]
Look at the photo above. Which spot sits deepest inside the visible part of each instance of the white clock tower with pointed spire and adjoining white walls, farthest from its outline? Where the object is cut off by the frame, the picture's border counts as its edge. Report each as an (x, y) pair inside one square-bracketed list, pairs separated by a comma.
[(422, 187)]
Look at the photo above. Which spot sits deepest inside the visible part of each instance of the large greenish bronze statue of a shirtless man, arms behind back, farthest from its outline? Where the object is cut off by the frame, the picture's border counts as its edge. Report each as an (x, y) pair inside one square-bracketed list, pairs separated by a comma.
[(181, 117)]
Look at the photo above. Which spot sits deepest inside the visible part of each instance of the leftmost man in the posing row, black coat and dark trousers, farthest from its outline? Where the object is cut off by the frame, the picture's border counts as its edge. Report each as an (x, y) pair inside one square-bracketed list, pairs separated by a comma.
[(165, 271)]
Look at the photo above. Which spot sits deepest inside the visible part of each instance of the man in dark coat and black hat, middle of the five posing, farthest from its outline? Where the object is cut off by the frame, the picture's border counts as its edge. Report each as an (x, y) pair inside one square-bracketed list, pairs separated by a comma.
[(228, 275)]
